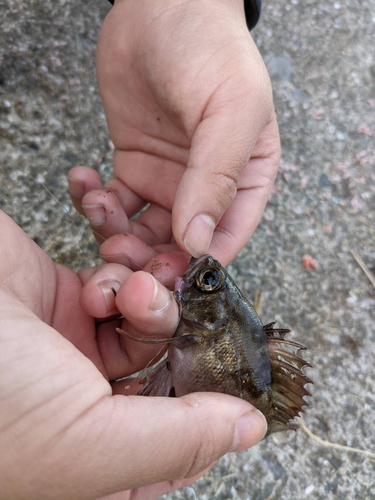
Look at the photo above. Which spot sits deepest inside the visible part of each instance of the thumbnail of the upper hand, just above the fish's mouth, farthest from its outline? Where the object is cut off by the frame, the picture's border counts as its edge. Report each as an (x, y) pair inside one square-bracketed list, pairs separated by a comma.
[(199, 235)]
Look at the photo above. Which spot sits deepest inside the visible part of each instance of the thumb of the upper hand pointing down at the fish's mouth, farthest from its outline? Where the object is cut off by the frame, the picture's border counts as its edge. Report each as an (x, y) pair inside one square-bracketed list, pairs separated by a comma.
[(221, 149)]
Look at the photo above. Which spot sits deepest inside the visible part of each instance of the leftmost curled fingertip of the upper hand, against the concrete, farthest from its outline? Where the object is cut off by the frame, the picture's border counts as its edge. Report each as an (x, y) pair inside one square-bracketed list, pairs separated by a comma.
[(82, 180)]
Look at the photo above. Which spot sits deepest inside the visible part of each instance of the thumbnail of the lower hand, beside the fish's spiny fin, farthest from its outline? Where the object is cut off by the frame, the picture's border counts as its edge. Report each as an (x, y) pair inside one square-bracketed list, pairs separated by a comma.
[(250, 428)]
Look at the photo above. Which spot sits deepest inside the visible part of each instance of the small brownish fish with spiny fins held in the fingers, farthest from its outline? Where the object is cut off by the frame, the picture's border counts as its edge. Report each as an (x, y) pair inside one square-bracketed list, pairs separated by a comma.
[(221, 345)]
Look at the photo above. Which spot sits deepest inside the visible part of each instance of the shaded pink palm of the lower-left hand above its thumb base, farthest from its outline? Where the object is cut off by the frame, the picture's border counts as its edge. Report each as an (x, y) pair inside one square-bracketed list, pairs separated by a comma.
[(48, 290)]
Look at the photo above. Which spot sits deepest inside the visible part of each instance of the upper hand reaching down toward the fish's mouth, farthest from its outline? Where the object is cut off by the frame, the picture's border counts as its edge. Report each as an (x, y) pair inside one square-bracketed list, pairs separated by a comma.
[(189, 108)]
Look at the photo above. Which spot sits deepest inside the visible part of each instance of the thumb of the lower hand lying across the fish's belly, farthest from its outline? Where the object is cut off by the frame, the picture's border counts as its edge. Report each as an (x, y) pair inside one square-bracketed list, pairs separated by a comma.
[(135, 441)]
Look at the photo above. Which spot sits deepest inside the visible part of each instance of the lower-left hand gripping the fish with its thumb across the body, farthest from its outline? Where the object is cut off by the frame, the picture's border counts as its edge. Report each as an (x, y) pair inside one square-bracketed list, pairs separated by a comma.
[(67, 428)]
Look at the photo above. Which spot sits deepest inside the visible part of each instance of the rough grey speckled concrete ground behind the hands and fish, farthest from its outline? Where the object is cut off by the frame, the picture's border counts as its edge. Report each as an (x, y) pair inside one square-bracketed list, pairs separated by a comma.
[(321, 58)]
